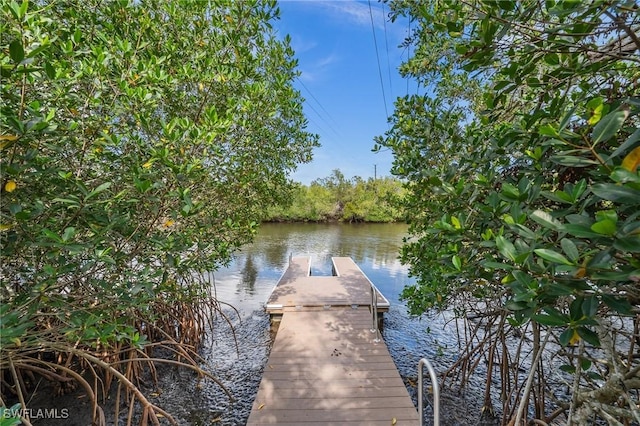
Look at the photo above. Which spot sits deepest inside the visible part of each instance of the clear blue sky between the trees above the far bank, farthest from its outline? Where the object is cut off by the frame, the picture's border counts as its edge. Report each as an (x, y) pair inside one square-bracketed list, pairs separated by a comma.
[(340, 81)]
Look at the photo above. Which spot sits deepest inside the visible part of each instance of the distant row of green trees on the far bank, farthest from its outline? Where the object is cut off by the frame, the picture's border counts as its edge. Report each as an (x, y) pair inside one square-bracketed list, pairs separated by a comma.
[(336, 198)]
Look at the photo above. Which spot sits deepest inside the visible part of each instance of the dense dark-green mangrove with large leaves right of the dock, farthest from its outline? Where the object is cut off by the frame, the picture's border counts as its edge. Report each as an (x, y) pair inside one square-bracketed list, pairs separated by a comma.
[(521, 164)]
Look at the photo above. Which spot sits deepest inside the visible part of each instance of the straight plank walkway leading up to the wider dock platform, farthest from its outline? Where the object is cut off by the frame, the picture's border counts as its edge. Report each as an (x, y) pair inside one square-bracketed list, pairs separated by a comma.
[(325, 368)]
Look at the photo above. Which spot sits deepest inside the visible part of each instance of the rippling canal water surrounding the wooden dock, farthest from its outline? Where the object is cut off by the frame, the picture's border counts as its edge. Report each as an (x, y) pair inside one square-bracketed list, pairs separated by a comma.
[(240, 341)]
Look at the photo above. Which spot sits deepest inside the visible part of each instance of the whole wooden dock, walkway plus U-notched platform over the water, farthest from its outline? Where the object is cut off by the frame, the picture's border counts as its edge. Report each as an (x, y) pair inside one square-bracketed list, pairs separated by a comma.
[(326, 366)]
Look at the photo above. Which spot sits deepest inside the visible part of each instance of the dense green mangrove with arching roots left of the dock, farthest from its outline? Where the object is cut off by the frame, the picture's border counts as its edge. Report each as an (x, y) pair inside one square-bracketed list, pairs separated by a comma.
[(140, 142)]
